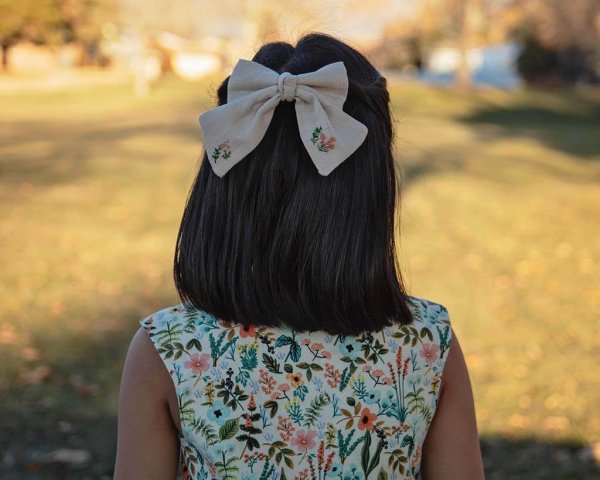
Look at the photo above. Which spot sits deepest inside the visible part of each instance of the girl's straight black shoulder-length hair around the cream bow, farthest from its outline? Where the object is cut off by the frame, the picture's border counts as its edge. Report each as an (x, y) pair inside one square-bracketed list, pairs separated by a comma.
[(275, 243)]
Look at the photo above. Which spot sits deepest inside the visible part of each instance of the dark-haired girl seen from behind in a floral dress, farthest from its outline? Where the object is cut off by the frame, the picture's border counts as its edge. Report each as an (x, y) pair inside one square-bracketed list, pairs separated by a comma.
[(296, 351)]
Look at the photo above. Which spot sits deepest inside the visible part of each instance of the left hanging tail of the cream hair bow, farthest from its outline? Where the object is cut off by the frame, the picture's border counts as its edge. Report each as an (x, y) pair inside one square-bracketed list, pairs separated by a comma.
[(231, 131)]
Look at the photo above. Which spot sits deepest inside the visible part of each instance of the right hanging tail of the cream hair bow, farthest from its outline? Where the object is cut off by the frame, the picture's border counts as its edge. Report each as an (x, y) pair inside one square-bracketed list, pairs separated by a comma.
[(329, 134)]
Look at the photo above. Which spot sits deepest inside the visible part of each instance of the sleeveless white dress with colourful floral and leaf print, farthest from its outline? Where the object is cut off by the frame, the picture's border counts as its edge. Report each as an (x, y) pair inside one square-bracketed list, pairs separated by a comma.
[(273, 403)]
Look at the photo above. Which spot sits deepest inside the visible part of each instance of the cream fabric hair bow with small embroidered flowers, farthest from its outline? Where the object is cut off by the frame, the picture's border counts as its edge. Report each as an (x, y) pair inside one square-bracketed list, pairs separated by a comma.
[(231, 131)]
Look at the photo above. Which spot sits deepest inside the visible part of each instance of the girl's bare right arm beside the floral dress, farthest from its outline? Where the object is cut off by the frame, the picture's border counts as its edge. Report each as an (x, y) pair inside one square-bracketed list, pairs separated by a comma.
[(451, 450)]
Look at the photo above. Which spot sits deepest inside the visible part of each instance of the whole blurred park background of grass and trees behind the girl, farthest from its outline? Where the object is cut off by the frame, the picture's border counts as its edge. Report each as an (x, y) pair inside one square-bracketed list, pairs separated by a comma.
[(497, 105)]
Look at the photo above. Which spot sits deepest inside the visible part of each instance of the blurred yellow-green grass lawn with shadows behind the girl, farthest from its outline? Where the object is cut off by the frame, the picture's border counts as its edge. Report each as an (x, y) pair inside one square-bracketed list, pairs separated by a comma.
[(499, 223)]
